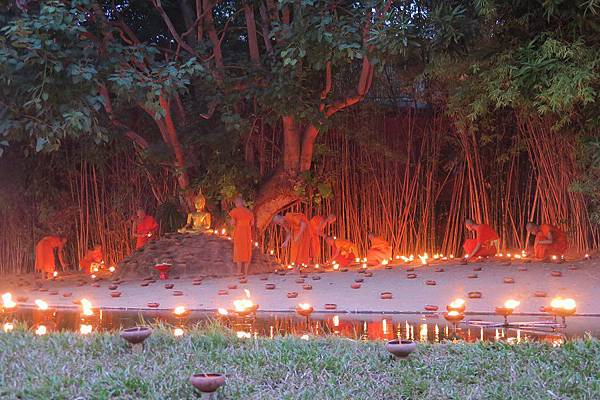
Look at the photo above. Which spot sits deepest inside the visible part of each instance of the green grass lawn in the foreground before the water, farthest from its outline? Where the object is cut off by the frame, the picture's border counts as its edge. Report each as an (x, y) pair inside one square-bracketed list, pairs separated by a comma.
[(102, 366)]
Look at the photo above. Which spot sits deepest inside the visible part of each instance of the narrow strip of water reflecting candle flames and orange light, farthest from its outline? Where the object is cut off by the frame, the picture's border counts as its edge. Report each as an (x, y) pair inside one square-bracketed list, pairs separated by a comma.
[(367, 327)]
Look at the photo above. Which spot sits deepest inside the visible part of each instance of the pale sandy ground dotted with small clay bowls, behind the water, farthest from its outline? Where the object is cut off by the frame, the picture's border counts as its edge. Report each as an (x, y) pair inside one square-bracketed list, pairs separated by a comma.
[(580, 280)]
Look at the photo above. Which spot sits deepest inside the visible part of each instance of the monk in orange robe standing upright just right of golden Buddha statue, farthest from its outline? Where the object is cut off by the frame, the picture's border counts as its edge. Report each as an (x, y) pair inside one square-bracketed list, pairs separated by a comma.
[(242, 220)]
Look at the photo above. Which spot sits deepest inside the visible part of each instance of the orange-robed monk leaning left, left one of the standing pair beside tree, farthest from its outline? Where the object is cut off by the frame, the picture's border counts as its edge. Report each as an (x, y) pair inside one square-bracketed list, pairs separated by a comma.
[(297, 237)]
